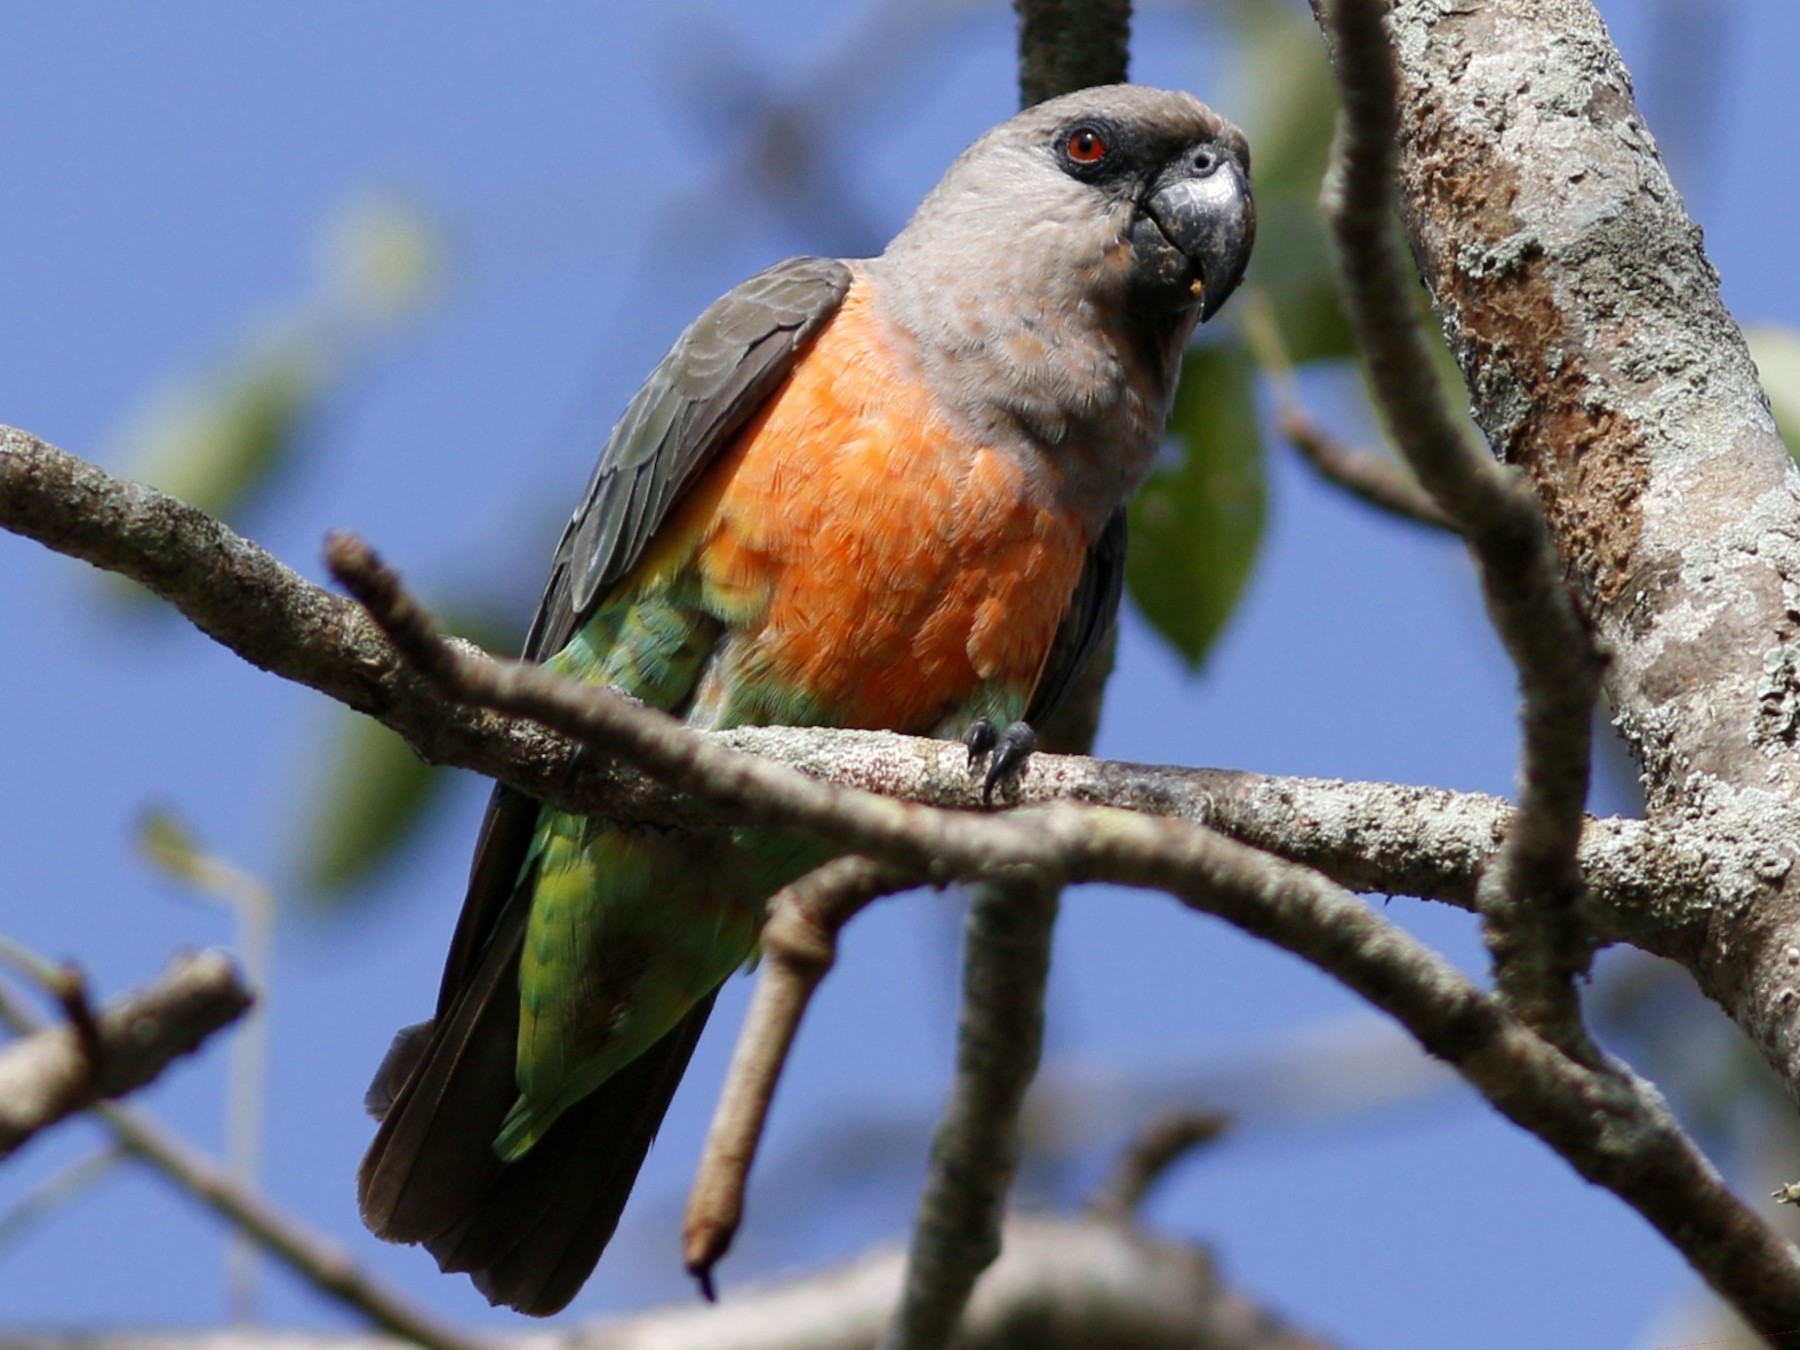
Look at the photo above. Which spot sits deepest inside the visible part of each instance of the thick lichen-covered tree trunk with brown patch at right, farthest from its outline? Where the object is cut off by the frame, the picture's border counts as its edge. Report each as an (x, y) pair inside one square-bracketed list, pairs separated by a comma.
[(1601, 361)]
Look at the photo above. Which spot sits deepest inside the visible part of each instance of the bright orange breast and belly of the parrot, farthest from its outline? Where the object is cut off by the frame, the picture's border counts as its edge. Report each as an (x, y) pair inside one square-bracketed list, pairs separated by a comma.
[(872, 564)]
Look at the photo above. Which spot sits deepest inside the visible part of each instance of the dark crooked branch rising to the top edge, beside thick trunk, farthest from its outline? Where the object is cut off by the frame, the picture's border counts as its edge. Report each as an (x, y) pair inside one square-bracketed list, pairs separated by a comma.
[(1529, 901)]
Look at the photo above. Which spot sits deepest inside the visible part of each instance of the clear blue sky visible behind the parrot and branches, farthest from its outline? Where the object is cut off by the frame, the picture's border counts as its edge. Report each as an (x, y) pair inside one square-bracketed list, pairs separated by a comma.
[(172, 172)]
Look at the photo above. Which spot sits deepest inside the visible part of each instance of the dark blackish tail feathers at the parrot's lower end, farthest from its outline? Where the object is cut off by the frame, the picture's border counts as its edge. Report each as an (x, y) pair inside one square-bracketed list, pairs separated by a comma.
[(528, 1232)]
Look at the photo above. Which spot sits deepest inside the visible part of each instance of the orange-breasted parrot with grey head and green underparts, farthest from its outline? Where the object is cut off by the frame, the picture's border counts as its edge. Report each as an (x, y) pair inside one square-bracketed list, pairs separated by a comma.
[(881, 494)]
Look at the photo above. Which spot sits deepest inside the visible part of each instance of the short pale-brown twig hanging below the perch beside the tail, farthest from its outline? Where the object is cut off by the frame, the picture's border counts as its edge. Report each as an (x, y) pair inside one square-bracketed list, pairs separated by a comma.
[(800, 946)]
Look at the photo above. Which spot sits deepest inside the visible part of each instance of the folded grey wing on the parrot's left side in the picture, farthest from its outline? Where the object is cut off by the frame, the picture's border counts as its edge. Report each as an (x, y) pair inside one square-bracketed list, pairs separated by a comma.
[(715, 379)]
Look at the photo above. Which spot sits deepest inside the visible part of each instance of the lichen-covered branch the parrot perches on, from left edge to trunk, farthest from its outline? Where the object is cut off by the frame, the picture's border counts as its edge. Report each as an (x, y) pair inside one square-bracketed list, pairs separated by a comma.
[(1369, 836)]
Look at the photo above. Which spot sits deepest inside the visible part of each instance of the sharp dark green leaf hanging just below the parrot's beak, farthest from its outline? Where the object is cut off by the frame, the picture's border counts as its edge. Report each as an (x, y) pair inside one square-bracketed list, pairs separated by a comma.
[(1196, 525)]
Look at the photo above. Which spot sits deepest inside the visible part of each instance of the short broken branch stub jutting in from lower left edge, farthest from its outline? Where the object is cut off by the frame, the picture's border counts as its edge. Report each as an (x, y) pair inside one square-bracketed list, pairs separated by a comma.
[(62, 1070)]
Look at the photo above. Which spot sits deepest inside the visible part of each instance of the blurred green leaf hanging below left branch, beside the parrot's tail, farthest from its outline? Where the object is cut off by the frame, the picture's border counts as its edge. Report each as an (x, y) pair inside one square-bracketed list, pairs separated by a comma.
[(375, 795)]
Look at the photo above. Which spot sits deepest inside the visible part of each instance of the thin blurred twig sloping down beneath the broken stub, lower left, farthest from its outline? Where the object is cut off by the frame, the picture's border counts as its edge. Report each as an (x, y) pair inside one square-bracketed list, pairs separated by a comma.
[(310, 1255)]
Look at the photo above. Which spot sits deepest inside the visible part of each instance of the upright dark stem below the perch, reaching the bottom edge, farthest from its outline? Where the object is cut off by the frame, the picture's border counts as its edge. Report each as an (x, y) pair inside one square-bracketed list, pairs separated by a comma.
[(975, 1151)]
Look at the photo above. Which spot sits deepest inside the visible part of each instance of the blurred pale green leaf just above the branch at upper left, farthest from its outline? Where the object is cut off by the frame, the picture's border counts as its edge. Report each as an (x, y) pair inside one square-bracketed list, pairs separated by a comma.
[(219, 440)]
